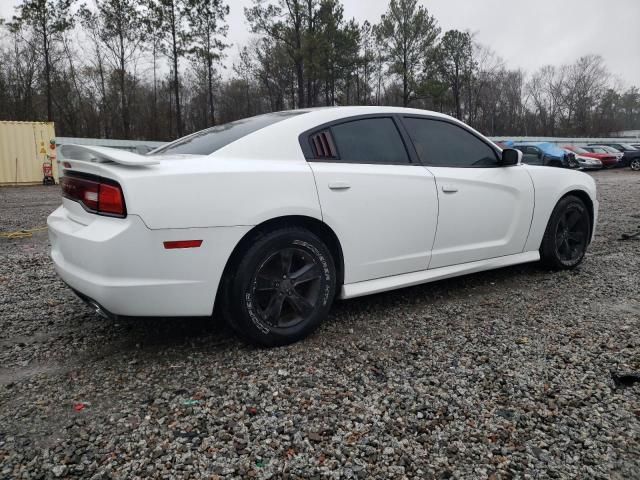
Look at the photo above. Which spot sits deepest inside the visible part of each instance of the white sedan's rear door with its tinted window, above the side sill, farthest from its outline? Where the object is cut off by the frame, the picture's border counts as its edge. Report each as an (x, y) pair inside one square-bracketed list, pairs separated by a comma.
[(382, 205)]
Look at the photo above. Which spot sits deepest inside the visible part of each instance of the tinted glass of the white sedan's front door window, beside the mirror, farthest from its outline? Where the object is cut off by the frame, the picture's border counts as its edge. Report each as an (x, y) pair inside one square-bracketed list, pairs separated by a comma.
[(443, 144)]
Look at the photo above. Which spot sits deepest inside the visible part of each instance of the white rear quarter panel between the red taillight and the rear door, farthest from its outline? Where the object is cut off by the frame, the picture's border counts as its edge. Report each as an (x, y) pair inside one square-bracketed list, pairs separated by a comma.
[(219, 192)]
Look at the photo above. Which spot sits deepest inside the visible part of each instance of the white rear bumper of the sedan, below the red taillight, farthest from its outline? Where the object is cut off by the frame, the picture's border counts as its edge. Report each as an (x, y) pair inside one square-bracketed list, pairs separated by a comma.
[(122, 265)]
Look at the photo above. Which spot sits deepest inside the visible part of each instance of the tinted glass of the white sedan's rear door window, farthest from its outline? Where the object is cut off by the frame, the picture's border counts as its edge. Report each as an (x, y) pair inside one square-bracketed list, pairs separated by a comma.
[(369, 140)]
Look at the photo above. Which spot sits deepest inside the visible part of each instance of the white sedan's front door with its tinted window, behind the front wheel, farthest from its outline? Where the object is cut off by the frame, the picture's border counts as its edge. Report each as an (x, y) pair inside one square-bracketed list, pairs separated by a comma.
[(485, 210)]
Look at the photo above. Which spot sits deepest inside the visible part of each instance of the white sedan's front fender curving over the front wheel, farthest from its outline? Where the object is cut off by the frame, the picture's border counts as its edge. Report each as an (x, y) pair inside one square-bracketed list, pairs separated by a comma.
[(550, 185)]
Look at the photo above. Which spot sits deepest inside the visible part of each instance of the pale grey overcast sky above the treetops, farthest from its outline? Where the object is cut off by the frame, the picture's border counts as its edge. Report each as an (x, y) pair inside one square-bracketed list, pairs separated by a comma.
[(525, 33)]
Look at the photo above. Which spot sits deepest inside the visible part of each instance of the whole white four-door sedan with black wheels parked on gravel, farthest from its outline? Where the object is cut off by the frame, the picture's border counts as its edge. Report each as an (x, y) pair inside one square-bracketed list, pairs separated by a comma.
[(270, 218)]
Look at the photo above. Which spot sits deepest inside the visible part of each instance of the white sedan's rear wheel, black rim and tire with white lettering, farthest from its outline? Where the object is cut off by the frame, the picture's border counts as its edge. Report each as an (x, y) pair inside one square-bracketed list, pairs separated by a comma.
[(281, 288)]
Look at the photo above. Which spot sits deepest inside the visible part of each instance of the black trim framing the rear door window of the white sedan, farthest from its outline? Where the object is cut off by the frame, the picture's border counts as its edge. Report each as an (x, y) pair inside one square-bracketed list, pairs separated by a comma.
[(307, 149)]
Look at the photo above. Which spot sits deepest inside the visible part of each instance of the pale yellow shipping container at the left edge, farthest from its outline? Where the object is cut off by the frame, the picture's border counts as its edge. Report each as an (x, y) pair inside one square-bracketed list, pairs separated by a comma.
[(26, 149)]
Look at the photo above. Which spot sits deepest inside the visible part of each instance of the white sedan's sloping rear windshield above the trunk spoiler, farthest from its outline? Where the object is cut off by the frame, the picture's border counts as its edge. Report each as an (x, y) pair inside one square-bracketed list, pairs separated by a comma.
[(208, 141)]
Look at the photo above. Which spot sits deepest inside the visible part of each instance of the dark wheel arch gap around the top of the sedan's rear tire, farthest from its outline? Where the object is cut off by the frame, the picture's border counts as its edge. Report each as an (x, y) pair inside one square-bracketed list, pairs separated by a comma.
[(319, 228)]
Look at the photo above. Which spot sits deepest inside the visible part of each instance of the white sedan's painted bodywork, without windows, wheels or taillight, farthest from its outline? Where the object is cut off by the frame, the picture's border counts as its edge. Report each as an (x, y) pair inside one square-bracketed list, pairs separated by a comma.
[(395, 225)]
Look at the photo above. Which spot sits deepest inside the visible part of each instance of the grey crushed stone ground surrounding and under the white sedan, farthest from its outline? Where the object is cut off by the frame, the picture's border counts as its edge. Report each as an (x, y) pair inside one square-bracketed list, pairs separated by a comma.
[(501, 374)]
